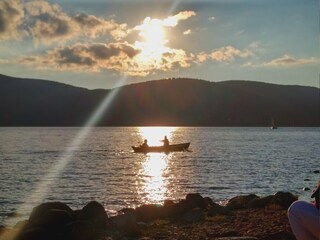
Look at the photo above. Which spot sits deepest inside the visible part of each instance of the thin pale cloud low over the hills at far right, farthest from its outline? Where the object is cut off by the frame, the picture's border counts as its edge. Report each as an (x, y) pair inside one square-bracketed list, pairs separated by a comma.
[(287, 60)]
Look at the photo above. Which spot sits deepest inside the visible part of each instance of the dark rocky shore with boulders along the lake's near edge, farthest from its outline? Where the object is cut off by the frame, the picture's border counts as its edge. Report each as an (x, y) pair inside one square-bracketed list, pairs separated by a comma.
[(247, 217)]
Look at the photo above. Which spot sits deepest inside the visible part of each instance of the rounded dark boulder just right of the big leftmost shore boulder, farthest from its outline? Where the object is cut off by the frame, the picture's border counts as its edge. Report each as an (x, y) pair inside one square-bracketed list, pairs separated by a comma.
[(95, 213)]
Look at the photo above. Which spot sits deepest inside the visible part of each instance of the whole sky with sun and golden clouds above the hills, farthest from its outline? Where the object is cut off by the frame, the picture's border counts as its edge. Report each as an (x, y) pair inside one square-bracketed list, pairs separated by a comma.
[(97, 44)]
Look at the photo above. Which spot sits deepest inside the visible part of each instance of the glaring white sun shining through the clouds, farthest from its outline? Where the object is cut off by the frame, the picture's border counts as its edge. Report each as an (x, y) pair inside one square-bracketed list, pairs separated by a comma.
[(153, 41)]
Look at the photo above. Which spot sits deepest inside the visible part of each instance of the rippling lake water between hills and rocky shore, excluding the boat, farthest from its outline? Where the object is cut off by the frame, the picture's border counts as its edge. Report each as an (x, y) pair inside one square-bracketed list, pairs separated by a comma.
[(76, 165)]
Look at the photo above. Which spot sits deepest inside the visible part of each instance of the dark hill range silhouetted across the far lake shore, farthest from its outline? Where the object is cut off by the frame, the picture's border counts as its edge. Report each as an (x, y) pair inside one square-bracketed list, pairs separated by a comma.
[(169, 102)]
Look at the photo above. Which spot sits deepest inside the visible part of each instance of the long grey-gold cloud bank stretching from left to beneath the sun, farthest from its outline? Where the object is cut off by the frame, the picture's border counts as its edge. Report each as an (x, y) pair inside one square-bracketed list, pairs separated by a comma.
[(120, 57)]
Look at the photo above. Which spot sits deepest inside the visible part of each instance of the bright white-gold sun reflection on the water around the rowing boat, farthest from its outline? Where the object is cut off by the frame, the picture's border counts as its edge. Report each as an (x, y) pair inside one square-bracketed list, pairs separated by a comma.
[(153, 178)]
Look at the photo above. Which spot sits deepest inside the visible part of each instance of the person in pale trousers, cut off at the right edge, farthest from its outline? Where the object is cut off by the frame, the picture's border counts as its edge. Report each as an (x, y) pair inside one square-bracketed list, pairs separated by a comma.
[(304, 218)]
